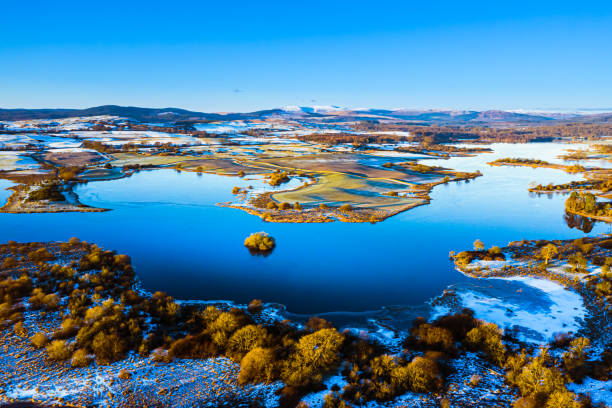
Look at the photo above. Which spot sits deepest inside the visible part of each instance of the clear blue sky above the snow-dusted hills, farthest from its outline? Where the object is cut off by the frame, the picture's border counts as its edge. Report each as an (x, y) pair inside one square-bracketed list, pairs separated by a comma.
[(240, 56)]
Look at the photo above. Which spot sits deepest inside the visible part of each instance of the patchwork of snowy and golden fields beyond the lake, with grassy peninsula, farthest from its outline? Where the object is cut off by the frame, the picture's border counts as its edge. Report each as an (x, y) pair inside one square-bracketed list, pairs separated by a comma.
[(376, 183)]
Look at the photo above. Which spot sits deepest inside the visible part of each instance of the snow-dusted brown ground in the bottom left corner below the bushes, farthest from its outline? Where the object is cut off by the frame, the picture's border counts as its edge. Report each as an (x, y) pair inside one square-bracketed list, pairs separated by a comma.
[(25, 374)]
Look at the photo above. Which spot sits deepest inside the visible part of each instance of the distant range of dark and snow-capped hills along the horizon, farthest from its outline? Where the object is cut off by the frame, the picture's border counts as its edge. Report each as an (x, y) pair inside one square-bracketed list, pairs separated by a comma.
[(448, 117)]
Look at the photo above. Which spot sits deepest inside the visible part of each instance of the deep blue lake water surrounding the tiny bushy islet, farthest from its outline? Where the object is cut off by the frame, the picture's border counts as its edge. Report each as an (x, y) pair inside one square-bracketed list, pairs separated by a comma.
[(181, 242)]
